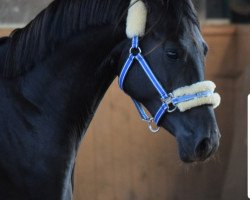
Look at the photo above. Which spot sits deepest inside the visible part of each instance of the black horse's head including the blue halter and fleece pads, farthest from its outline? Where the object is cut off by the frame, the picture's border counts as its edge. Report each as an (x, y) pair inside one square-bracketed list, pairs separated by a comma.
[(164, 58)]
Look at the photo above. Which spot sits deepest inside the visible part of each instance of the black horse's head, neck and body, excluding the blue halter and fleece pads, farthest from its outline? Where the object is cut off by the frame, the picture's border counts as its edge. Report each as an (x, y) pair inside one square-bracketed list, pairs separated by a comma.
[(55, 71)]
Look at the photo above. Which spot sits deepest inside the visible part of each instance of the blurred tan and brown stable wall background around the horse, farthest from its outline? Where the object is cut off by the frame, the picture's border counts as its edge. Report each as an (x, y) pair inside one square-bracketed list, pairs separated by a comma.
[(120, 160)]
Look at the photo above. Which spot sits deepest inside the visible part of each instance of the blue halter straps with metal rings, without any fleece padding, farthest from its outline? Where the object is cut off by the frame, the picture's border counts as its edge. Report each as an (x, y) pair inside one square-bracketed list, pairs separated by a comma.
[(169, 102)]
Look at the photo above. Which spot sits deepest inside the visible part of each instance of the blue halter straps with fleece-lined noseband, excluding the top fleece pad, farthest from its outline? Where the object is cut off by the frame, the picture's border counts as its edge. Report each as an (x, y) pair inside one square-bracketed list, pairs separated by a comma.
[(183, 98)]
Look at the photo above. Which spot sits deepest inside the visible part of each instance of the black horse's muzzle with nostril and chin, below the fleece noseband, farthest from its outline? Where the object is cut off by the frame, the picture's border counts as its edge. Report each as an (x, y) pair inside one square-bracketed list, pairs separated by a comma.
[(197, 137)]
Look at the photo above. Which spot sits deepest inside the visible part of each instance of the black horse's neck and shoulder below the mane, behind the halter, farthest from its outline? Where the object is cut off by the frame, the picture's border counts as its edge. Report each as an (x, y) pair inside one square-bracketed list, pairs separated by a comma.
[(50, 106)]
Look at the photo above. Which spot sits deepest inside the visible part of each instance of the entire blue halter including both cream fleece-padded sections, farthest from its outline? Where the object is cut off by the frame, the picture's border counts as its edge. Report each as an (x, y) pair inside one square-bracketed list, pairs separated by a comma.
[(185, 98)]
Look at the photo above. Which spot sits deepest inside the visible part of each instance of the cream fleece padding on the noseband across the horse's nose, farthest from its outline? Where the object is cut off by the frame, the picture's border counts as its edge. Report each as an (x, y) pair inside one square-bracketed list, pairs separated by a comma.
[(213, 99)]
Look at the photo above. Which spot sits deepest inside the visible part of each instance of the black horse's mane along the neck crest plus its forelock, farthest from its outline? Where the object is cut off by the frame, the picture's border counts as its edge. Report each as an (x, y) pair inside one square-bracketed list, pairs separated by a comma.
[(64, 18)]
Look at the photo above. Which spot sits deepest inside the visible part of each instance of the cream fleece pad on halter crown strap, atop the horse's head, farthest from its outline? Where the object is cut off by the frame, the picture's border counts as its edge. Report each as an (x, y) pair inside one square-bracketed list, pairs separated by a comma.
[(136, 19)]
